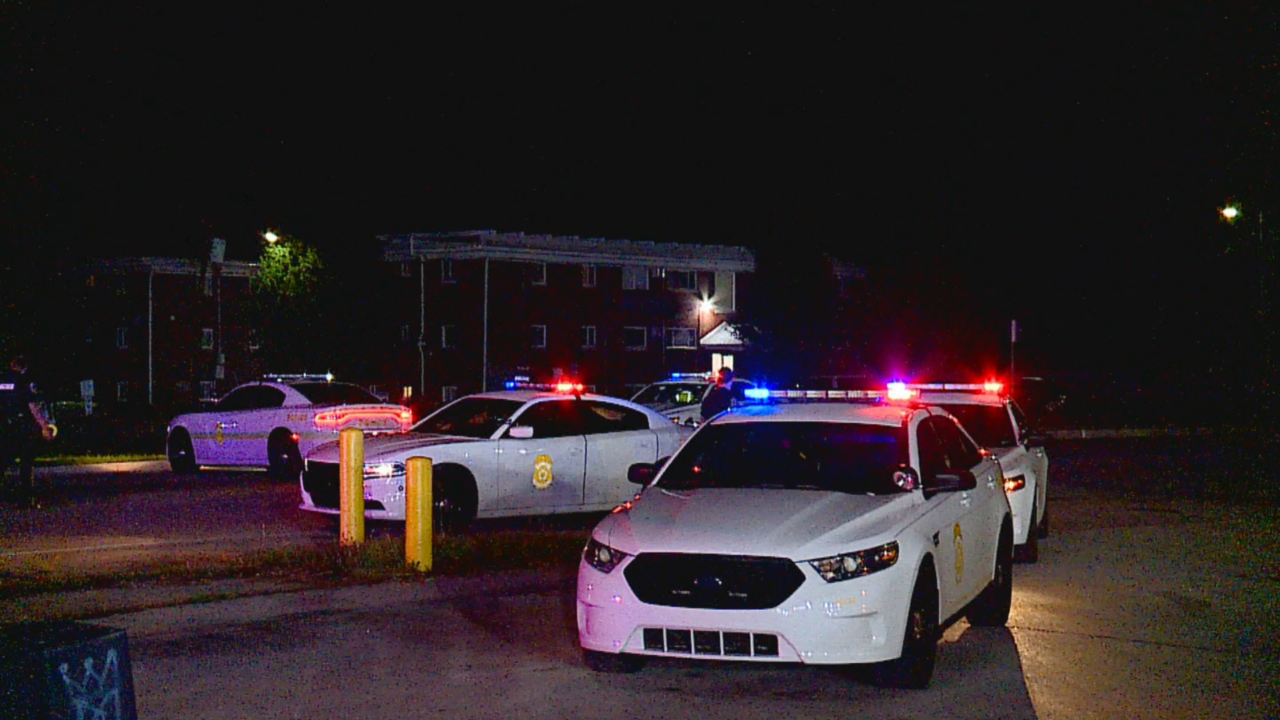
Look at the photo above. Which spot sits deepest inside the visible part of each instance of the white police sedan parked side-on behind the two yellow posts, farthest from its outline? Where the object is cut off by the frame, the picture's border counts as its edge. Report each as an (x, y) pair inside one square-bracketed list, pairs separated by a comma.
[(528, 452)]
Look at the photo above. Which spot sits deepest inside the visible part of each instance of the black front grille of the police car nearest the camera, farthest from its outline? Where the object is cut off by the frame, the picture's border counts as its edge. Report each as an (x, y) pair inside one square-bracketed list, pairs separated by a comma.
[(720, 582)]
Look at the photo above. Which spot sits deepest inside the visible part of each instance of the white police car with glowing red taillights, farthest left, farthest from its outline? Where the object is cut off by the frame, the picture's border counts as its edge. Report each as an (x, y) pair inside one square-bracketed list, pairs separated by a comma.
[(276, 422)]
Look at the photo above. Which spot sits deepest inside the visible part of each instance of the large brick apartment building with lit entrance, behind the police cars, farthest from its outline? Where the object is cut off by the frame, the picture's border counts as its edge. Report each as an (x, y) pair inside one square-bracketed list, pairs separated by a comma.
[(476, 309)]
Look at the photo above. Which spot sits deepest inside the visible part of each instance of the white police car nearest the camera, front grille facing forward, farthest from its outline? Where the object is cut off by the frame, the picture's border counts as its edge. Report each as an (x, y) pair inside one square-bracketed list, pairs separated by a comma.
[(817, 532)]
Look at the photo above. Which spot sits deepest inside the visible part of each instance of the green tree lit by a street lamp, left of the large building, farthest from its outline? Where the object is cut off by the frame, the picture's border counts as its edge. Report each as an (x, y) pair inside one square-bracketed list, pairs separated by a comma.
[(287, 303)]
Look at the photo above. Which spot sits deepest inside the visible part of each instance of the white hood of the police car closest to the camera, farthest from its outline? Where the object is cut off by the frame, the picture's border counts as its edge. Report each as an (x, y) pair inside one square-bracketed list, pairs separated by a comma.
[(788, 523)]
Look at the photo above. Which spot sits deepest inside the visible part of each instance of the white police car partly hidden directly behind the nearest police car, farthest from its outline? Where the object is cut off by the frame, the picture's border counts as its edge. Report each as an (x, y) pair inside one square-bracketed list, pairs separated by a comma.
[(999, 425)]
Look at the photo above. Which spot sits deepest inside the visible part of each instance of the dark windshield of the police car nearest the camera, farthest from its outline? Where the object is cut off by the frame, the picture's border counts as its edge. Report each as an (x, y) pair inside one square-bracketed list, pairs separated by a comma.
[(824, 457)]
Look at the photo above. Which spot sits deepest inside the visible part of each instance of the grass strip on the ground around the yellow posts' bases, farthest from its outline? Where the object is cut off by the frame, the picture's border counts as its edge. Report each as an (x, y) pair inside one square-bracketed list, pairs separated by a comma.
[(328, 564)]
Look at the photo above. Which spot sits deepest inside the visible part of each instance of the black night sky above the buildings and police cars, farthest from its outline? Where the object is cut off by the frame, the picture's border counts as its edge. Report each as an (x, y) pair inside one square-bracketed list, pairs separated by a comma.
[(1057, 165)]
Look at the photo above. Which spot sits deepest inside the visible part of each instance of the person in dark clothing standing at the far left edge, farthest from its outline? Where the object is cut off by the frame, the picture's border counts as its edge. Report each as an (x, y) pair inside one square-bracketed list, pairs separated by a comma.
[(24, 423)]
